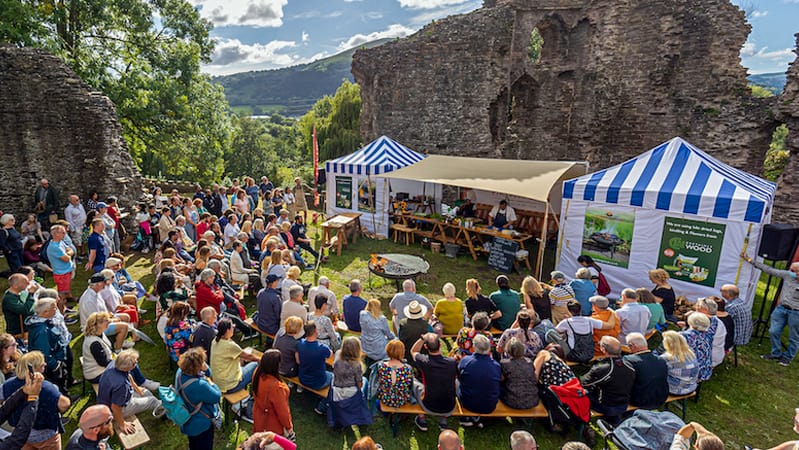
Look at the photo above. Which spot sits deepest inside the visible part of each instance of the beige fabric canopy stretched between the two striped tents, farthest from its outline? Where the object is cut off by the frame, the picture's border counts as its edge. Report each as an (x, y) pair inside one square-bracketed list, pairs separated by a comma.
[(523, 178)]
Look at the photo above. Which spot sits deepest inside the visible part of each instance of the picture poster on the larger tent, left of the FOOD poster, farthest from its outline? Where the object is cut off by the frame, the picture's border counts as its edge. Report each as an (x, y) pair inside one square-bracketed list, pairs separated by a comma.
[(608, 234)]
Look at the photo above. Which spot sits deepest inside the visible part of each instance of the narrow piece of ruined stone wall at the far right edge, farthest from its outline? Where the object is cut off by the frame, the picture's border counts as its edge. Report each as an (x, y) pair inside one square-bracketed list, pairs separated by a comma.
[(787, 111)]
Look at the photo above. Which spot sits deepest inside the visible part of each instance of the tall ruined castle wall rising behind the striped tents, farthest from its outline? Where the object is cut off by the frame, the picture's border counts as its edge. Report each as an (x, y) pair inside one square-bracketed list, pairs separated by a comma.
[(610, 84)]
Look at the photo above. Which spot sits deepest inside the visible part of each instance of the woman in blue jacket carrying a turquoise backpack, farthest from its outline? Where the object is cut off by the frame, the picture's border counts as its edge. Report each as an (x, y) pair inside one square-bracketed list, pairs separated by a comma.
[(196, 388)]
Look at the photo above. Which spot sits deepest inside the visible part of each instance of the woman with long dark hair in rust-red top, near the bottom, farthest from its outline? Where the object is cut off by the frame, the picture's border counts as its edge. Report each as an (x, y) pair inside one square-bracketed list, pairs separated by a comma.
[(271, 410)]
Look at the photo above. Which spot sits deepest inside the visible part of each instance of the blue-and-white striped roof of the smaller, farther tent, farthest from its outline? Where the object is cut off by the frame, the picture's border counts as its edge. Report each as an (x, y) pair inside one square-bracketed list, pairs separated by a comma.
[(380, 156)]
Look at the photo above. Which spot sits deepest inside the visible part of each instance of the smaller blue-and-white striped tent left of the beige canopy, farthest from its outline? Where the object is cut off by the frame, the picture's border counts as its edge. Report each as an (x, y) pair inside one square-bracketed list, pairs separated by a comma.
[(352, 178)]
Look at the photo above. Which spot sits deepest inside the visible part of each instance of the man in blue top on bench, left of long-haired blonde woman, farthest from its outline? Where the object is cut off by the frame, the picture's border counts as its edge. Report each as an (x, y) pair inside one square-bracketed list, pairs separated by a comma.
[(312, 355)]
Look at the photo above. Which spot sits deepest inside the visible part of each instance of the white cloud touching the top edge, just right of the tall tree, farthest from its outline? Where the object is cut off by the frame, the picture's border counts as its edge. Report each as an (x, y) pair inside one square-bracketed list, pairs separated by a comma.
[(254, 13)]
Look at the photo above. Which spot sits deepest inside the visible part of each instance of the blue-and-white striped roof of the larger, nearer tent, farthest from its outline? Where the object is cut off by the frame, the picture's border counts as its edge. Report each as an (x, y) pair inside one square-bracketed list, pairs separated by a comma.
[(676, 176)]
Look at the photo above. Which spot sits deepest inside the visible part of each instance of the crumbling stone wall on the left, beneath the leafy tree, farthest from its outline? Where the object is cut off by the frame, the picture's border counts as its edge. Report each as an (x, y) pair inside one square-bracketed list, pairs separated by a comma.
[(52, 125)]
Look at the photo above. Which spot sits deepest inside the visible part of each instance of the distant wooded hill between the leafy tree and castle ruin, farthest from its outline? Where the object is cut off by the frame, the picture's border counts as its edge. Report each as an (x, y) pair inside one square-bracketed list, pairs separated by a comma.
[(290, 91)]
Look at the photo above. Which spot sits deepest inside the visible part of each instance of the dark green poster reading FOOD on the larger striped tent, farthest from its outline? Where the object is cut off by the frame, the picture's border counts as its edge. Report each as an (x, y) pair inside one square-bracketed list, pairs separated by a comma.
[(690, 250)]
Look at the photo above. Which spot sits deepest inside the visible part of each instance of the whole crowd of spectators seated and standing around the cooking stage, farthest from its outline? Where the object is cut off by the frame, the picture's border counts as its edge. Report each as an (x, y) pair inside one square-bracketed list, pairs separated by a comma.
[(514, 347)]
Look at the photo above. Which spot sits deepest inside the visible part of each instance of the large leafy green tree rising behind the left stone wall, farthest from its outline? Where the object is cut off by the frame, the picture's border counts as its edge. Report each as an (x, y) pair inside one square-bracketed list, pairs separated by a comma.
[(145, 56)]
